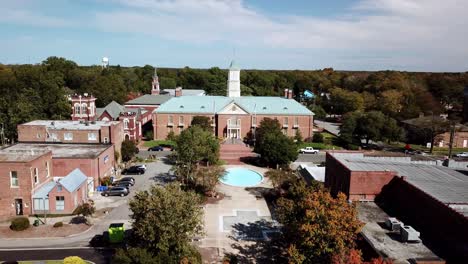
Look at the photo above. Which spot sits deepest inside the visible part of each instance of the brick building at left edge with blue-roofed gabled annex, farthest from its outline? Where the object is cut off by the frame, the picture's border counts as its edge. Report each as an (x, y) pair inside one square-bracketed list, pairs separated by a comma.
[(30, 185)]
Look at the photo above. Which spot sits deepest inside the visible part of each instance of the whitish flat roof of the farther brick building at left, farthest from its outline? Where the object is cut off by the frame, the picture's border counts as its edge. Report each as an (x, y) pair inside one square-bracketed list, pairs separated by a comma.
[(71, 125)]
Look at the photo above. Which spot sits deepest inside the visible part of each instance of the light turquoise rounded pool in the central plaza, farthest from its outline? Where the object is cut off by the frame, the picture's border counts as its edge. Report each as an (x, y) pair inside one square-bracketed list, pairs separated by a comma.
[(241, 177)]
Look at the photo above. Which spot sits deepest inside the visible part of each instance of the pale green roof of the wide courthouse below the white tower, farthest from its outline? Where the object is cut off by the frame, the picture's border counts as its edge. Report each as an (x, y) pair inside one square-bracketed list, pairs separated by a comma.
[(252, 104)]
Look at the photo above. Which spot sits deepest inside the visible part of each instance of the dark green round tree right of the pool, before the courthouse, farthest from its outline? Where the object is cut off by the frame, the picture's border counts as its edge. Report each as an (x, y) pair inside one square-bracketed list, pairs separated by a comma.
[(274, 147)]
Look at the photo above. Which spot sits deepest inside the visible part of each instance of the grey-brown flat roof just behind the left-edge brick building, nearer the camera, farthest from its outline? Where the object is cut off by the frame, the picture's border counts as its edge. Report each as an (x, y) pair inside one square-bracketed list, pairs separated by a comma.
[(63, 150)]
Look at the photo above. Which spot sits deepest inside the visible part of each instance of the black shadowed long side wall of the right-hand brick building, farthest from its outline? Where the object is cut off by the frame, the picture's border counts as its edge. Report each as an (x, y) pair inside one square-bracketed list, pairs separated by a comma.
[(441, 227)]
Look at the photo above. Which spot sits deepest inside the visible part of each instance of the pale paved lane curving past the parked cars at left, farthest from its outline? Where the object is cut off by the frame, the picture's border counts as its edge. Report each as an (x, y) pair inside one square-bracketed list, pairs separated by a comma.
[(120, 214)]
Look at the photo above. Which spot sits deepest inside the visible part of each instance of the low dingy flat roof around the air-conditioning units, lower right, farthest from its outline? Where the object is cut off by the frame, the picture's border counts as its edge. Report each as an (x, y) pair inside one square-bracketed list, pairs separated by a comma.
[(384, 241)]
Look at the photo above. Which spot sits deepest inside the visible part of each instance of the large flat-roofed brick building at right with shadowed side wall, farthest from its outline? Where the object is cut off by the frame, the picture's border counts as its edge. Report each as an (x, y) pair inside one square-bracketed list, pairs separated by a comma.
[(433, 199)]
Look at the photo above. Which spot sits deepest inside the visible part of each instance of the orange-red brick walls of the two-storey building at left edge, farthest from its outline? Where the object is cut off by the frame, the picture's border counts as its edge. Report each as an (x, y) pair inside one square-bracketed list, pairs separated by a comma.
[(25, 178)]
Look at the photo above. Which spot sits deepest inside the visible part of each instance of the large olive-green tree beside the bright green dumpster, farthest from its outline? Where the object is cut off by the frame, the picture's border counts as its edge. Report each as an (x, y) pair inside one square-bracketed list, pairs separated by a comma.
[(165, 219)]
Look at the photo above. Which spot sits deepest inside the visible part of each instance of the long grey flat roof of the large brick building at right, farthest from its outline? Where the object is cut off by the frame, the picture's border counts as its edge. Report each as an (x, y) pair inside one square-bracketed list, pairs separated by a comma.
[(447, 185)]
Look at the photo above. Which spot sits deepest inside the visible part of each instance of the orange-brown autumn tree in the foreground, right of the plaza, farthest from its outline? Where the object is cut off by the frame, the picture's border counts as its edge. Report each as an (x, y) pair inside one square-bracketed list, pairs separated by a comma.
[(318, 226)]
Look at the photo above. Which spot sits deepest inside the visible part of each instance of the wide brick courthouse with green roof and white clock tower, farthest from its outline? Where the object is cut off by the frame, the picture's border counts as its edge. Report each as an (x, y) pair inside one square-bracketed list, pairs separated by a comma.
[(233, 116)]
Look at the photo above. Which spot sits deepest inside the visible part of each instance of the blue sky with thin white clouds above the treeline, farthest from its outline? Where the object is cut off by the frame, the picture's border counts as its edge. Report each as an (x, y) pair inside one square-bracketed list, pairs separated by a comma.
[(409, 35)]
